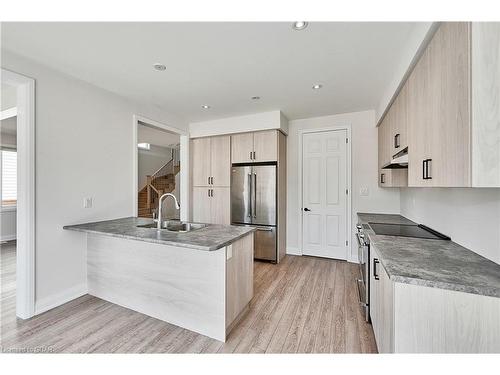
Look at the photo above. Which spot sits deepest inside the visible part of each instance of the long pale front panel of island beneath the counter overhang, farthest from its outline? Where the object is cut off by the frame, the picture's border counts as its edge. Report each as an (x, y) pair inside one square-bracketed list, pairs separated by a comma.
[(182, 286)]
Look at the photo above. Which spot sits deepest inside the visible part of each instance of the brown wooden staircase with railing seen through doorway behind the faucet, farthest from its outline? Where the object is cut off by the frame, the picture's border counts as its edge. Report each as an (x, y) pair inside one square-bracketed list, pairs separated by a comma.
[(159, 183)]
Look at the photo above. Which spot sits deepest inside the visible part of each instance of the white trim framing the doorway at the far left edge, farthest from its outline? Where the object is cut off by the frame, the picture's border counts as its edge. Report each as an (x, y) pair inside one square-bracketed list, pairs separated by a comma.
[(25, 221)]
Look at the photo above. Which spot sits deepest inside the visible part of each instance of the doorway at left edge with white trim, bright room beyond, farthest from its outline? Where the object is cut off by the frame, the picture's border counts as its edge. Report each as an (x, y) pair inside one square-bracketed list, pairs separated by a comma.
[(17, 193)]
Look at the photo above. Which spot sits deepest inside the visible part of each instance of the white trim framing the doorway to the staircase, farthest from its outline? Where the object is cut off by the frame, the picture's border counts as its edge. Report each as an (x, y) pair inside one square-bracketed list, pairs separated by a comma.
[(184, 160)]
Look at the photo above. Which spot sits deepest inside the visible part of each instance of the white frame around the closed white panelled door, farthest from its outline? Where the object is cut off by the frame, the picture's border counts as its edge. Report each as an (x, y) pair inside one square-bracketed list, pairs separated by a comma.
[(301, 132)]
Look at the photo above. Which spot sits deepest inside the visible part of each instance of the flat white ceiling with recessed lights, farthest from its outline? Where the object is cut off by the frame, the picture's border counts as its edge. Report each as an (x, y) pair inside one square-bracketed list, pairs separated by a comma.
[(224, 64)]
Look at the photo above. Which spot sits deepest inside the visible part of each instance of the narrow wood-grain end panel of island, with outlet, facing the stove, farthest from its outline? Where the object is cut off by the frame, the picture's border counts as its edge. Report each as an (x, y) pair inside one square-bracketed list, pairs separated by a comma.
[(239, 279)]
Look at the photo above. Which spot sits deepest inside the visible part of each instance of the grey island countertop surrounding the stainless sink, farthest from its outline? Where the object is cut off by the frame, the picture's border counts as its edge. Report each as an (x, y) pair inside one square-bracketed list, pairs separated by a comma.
[(212, 237)]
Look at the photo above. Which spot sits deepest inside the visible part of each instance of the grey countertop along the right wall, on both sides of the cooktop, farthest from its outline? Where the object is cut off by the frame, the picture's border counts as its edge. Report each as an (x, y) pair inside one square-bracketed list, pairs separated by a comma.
[(432, 263)]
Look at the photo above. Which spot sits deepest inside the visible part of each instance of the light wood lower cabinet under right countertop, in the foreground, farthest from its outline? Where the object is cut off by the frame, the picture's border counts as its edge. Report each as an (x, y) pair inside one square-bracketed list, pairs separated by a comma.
[(410, 318)]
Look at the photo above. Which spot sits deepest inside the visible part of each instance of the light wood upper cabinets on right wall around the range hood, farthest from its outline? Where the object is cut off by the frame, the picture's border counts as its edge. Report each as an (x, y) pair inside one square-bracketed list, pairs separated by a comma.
[(448, 112)]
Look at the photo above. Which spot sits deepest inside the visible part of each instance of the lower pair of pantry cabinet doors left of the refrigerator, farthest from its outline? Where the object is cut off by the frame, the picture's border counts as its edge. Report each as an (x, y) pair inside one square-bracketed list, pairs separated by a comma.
[(212, 205)]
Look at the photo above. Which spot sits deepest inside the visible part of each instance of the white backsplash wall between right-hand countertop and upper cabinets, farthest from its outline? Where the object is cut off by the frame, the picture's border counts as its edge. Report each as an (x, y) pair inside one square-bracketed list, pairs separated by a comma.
[(470, 216)]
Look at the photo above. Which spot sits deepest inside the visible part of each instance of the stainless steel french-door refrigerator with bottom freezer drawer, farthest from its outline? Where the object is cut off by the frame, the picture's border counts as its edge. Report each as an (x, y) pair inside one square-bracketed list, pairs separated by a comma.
[(253, 203)]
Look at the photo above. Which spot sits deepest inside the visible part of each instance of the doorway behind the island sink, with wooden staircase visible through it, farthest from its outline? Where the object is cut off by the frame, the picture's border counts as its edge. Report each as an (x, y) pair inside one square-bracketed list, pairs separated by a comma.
[(159, 168)]
